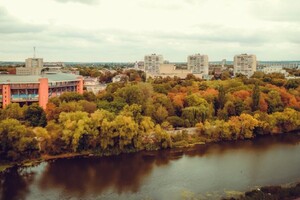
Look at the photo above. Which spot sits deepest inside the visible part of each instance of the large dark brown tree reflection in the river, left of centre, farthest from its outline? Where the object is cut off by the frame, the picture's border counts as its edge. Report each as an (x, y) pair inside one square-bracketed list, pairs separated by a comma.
[(123, 173)]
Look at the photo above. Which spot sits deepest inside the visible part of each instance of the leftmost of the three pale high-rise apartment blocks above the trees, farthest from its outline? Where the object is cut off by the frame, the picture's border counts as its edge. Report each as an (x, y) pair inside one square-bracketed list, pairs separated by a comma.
[(152, 63)]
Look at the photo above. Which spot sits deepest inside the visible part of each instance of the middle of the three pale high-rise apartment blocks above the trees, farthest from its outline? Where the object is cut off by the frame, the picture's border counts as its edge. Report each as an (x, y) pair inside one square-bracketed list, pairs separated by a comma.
[(198, 63)]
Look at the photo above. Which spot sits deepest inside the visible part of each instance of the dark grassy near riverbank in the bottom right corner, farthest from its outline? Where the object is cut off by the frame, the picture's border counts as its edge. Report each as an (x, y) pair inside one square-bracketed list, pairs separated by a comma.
[(271, 193)]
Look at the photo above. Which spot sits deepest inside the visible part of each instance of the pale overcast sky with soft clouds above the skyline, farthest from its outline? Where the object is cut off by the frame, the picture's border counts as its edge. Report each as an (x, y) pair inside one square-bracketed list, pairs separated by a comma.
[(125, 31)]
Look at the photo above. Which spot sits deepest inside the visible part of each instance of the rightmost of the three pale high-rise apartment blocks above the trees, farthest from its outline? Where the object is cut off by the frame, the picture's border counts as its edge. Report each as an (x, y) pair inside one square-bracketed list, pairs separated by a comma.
[(244, 64)]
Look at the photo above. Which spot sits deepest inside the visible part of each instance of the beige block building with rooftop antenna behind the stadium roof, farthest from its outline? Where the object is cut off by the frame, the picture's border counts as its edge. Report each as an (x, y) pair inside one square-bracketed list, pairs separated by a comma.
[(33, 66)]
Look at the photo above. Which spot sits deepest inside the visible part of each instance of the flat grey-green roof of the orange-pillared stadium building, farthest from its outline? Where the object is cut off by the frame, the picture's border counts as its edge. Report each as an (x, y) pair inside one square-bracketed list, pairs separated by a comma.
[(58, 77)]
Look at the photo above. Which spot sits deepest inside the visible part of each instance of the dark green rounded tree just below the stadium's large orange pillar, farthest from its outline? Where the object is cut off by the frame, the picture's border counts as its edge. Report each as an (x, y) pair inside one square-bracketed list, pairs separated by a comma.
[(35, 116)]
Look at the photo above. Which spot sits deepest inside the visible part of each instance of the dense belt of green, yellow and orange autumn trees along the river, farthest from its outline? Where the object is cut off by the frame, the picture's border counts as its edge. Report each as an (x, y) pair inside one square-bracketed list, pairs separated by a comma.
[(138, 115)]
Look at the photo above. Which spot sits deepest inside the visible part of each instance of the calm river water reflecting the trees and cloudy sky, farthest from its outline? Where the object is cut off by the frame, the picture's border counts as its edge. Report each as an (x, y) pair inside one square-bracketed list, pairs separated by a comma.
[(203, 171)]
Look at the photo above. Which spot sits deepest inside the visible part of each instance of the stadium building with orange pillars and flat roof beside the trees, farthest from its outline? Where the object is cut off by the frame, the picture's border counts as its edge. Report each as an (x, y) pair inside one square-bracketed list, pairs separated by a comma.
[(37, 88)]
